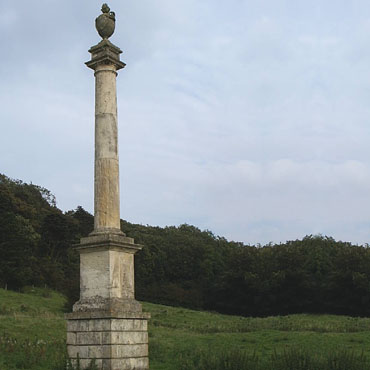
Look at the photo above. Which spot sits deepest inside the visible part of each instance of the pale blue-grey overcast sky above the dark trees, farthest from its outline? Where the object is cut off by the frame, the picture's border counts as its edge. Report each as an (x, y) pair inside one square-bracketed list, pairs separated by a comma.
[(247, 118)]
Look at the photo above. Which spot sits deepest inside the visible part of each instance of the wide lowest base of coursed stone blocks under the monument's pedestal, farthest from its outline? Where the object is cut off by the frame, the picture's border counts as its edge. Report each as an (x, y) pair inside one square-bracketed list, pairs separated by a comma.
[(115, 341)]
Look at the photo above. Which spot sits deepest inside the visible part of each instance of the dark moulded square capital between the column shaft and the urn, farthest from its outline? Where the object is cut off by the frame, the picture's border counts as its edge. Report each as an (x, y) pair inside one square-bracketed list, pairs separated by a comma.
[(105, 53)]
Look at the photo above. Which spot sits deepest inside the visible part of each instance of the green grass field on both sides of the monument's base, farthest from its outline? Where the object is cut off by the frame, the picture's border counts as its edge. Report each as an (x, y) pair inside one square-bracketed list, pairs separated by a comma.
[(32, 336)]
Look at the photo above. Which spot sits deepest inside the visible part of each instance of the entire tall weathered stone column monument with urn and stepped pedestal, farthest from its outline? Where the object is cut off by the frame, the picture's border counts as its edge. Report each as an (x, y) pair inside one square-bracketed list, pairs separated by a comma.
[(107, 323)]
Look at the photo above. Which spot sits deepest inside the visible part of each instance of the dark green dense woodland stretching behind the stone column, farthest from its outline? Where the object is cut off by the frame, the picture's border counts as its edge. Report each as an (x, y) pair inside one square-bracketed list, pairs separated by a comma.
[(183, 265)]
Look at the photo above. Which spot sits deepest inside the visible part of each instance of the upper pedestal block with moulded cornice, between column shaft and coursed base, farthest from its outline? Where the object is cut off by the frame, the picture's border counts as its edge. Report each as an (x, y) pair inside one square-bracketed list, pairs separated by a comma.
[(107, 273)]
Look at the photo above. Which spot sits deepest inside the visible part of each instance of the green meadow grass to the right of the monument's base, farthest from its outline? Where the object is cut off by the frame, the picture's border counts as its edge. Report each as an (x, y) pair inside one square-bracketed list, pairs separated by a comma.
[(186, 338)]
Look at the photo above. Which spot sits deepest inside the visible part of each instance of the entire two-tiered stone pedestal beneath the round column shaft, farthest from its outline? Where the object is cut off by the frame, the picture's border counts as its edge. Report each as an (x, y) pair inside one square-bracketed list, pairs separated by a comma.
[(107, 323)]
